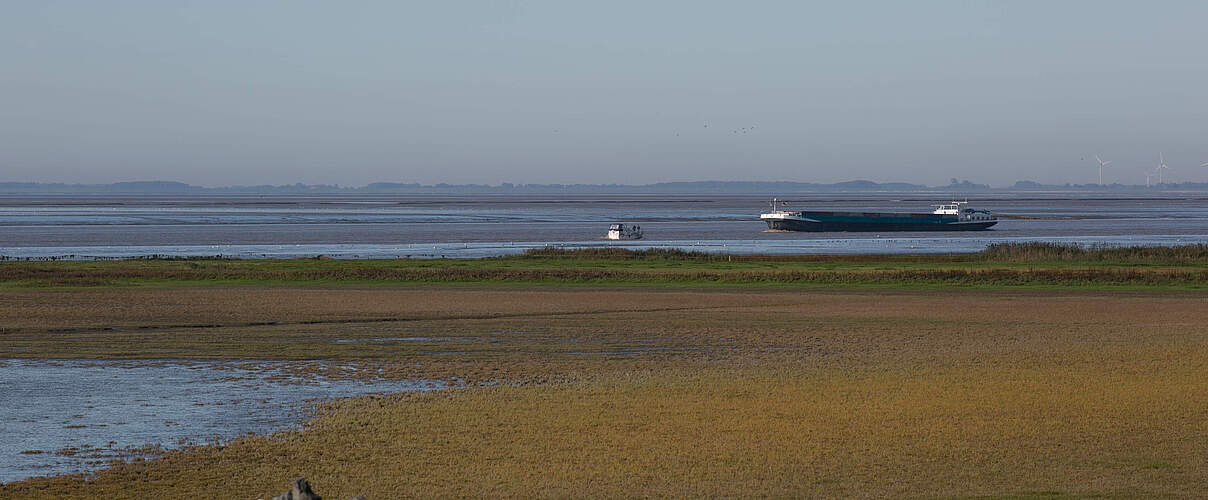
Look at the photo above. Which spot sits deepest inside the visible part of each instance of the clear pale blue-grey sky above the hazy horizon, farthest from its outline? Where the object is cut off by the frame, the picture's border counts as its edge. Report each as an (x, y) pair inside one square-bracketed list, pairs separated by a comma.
[(248, 92)]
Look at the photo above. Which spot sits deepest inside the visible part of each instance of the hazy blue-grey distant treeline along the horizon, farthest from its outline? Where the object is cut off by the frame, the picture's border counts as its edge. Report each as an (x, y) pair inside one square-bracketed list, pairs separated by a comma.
[(688, 188)]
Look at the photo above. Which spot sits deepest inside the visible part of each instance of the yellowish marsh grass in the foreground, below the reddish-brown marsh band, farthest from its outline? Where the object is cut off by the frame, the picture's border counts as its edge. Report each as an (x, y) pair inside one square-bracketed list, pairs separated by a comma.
[(1123, 423)]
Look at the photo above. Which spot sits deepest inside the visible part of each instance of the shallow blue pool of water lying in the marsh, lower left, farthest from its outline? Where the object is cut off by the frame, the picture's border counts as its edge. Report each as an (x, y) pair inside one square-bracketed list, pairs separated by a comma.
[(63, 417)]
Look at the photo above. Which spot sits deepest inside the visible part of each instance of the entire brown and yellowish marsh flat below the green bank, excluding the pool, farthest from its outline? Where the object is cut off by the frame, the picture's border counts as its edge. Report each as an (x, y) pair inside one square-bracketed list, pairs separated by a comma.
[(957, 392)]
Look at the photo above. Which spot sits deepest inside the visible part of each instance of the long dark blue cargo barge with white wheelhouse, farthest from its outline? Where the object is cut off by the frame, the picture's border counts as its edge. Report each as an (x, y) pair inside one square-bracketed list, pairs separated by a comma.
[(953, 217)]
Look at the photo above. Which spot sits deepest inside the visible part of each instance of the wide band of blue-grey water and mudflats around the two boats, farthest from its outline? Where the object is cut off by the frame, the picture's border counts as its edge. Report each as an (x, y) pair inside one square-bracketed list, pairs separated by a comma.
[(426, 226)]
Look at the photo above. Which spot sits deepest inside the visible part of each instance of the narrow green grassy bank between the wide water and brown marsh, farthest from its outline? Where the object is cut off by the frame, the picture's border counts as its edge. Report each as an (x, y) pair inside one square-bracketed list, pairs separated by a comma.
[(1026, 265)]
